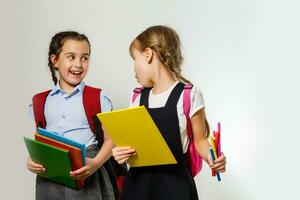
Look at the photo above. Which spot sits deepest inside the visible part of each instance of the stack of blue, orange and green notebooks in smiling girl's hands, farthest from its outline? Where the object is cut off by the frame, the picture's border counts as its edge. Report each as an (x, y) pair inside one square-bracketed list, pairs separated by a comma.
[(59, 155)]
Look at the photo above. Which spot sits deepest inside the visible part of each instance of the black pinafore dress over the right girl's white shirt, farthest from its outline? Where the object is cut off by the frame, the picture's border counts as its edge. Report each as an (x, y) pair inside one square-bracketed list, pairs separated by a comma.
[(163, 182)]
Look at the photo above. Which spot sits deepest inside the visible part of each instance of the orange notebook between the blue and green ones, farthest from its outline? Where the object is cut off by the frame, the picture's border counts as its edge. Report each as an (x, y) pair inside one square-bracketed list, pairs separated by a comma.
[(74, 153)]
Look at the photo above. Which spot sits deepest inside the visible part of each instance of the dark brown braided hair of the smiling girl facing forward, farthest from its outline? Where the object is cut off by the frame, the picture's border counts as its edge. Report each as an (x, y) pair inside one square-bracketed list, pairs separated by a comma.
[(57, 43)]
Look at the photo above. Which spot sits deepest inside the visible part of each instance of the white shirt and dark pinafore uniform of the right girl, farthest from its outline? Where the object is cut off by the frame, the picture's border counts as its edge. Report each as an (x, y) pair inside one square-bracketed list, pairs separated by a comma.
[(165, 182)]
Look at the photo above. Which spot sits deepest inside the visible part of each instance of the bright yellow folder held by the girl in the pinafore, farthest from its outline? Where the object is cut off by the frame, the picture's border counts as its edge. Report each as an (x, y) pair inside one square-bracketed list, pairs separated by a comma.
[(134, 127)]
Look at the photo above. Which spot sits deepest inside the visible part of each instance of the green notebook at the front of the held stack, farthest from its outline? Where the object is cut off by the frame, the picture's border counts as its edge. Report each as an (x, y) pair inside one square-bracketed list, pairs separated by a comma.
[(55, 160)]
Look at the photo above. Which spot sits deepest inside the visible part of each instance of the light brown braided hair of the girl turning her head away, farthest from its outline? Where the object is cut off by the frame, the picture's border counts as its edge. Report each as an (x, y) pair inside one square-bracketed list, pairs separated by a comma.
[(166, 43)]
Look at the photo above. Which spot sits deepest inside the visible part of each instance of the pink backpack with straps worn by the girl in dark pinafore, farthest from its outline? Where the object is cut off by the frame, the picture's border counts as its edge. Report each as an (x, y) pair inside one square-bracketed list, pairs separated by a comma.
[(195, 161)]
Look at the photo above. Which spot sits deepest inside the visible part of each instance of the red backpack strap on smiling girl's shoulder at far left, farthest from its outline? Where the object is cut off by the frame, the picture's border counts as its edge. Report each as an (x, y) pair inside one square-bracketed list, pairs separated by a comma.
[(38, 103)]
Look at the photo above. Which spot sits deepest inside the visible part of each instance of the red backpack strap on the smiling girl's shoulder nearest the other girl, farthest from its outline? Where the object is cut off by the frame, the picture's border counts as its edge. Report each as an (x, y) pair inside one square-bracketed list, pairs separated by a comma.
[(92, 105)]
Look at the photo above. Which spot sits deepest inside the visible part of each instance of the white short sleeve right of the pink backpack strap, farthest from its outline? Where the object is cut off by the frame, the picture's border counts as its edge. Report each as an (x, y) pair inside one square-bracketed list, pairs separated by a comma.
[(197, 101)]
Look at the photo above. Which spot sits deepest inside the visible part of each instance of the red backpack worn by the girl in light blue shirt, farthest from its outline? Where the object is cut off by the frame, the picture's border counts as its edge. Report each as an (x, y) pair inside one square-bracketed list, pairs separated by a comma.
[(92, 106)]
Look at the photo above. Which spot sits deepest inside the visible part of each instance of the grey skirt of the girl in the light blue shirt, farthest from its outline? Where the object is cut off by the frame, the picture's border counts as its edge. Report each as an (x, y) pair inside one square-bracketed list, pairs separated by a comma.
[(97, 186)]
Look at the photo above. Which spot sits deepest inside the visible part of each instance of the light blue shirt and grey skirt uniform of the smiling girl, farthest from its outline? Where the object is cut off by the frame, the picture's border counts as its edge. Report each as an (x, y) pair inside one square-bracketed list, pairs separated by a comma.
[(65, 115)]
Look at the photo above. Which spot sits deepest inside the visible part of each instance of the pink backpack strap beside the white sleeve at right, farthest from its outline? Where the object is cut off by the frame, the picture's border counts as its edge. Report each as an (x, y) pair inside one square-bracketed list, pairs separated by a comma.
[(187, 107)]
